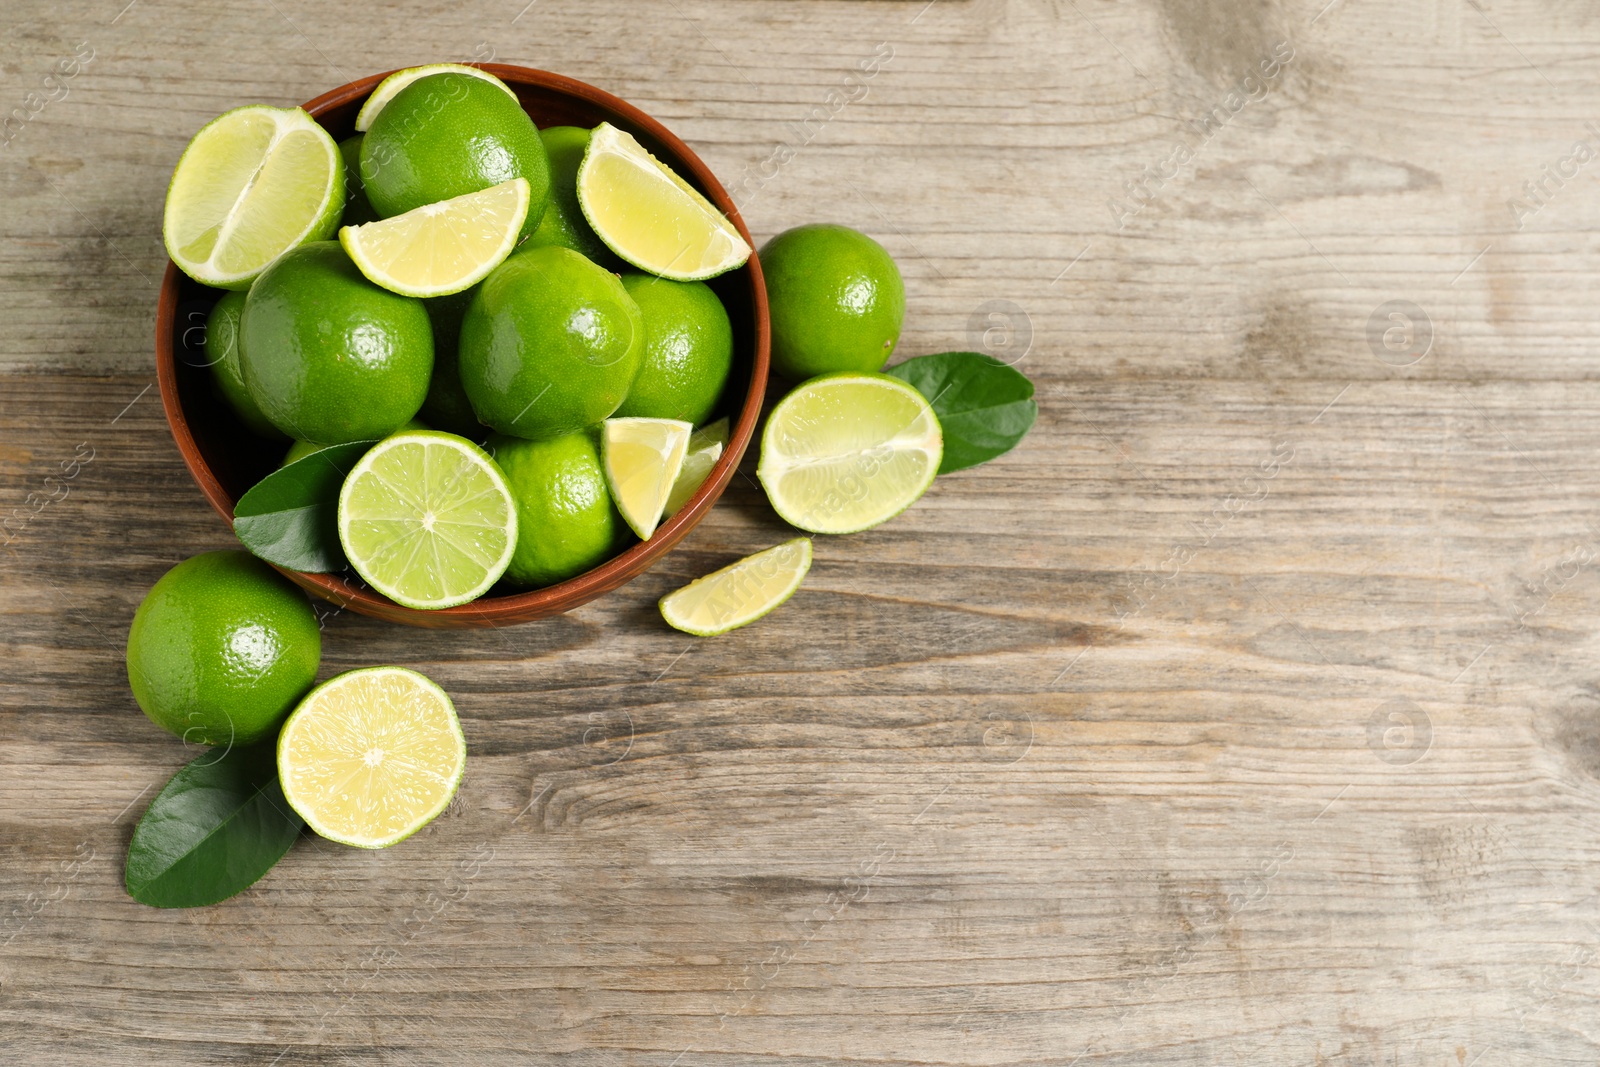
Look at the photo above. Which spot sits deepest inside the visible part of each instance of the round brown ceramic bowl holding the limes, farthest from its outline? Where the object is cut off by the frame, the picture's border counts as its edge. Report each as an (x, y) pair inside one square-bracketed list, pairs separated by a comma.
[(226, 460)]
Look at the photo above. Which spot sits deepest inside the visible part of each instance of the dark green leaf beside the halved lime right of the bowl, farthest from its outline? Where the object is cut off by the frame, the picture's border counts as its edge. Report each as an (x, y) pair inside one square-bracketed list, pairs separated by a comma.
[(985, 406)]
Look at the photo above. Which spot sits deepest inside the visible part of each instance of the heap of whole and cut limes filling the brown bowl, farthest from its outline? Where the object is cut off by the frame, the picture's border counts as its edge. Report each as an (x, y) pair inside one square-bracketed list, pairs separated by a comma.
[(529, 406)]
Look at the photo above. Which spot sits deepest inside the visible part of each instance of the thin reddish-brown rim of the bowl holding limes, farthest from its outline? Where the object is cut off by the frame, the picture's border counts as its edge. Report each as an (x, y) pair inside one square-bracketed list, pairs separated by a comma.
[(522, 607)]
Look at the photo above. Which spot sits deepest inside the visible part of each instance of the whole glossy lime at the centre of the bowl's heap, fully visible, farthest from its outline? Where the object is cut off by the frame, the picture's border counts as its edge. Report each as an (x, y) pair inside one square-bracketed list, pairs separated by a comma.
[(550, 345)]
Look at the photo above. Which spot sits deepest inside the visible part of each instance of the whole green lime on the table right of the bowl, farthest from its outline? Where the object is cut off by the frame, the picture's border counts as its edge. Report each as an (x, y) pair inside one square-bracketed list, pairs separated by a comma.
[(836, 300)]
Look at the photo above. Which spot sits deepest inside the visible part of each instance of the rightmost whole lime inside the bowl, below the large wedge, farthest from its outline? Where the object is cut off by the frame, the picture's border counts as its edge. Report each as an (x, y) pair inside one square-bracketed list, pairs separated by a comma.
[(689, 350)]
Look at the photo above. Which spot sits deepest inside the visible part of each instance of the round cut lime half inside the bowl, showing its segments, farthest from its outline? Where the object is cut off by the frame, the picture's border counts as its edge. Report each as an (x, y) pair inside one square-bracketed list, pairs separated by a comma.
[(428, 519)]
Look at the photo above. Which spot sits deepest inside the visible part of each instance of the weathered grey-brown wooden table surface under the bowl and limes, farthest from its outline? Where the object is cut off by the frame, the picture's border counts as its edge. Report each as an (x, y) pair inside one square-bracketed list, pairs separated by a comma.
[(1250, 713)]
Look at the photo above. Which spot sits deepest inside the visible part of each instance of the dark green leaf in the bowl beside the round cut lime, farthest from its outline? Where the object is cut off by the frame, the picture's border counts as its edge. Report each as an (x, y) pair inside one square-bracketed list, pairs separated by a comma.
[(292, 518)]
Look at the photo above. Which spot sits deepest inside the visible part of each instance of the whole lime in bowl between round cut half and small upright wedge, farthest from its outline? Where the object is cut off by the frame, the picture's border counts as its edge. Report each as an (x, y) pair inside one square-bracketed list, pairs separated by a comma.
[(566, 519)]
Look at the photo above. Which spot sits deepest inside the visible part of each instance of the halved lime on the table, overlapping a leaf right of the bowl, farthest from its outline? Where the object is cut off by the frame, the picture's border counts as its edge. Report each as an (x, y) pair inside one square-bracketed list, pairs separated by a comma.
[(849, 452)]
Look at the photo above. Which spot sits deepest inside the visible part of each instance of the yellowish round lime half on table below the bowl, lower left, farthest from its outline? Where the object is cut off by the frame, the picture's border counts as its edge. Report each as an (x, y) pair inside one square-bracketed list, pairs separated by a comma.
[(372, 756)]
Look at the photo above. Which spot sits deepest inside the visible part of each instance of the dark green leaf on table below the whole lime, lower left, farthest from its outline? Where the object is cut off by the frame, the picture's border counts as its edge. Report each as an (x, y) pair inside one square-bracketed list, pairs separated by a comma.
[(214, 831)]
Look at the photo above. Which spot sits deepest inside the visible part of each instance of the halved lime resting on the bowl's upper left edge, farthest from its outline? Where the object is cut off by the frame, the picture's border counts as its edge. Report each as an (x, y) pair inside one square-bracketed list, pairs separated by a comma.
[(254, 183)]
